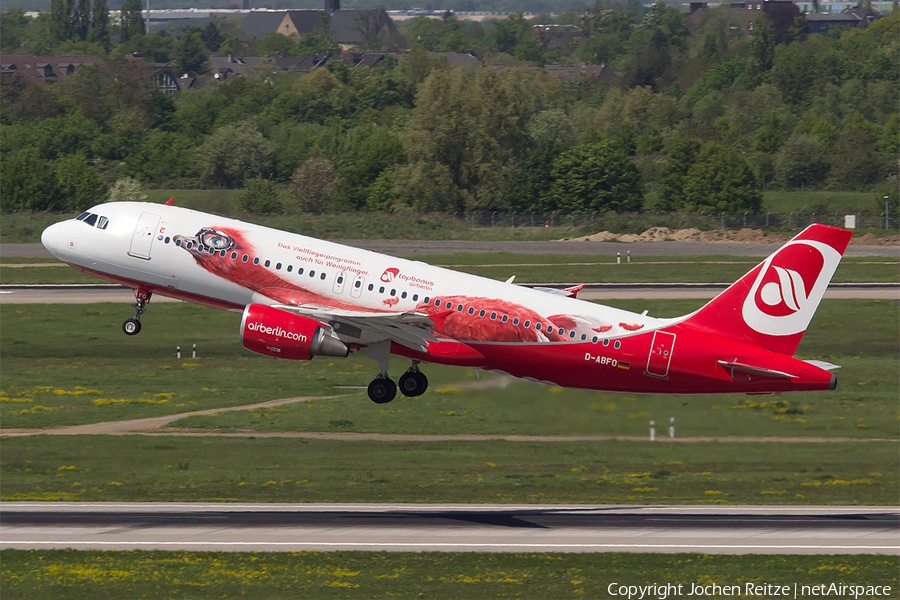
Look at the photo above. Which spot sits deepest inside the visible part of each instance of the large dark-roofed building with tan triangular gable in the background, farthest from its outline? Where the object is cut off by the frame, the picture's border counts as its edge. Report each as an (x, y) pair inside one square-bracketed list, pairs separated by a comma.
[(353, 27)]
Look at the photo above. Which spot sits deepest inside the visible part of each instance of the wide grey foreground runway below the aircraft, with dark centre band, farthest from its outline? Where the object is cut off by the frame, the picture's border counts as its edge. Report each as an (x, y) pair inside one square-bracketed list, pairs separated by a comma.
[(451, 528)]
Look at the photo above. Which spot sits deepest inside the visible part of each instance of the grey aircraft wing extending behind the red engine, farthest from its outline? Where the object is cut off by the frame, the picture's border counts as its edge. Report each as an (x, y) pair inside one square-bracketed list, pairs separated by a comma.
[(409, 329)]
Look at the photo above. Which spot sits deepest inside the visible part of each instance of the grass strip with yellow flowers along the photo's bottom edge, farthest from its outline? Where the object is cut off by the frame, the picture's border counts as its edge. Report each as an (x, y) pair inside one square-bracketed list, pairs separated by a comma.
[(100, 575)]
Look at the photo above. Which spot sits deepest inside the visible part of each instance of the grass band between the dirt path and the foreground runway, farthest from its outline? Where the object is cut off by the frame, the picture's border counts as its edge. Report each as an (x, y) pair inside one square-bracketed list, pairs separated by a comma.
[(248, 469)]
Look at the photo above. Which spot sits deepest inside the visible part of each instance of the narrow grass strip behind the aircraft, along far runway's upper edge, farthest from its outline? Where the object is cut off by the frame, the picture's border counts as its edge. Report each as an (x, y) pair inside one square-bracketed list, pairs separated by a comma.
[(546, 268)]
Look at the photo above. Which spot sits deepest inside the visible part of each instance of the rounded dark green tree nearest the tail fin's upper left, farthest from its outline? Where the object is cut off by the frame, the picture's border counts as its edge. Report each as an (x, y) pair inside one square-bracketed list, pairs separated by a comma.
[(720, 180)]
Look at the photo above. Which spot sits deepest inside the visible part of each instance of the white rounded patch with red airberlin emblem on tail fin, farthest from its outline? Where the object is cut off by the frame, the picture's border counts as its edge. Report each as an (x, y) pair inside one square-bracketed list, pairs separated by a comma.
[(789, 287)]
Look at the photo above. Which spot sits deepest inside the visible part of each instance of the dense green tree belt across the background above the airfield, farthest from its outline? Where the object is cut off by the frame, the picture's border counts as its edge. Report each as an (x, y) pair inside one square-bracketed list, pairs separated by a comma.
[(708, 112)]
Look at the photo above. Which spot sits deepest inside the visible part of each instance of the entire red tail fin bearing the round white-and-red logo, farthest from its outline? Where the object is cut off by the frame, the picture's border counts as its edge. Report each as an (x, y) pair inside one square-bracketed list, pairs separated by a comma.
[(773, 304)]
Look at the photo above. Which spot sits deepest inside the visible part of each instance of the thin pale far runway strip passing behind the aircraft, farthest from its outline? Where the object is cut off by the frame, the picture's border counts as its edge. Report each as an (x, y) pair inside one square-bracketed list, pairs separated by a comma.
[(91, 294)]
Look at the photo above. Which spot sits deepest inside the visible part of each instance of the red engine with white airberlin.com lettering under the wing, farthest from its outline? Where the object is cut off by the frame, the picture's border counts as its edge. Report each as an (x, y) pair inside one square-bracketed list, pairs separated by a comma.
[(281, 334)]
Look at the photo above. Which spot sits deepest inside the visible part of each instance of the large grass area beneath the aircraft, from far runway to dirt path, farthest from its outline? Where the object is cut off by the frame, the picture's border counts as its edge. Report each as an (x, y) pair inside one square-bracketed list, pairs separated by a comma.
[(88, 371)]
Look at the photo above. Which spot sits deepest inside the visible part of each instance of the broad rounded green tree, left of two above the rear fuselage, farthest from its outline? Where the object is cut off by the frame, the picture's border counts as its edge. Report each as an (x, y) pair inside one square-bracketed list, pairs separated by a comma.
[(596, 177)]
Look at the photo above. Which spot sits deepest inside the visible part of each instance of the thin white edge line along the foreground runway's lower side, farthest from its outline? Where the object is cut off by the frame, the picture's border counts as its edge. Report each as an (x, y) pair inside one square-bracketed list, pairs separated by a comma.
[(697, 547)]
